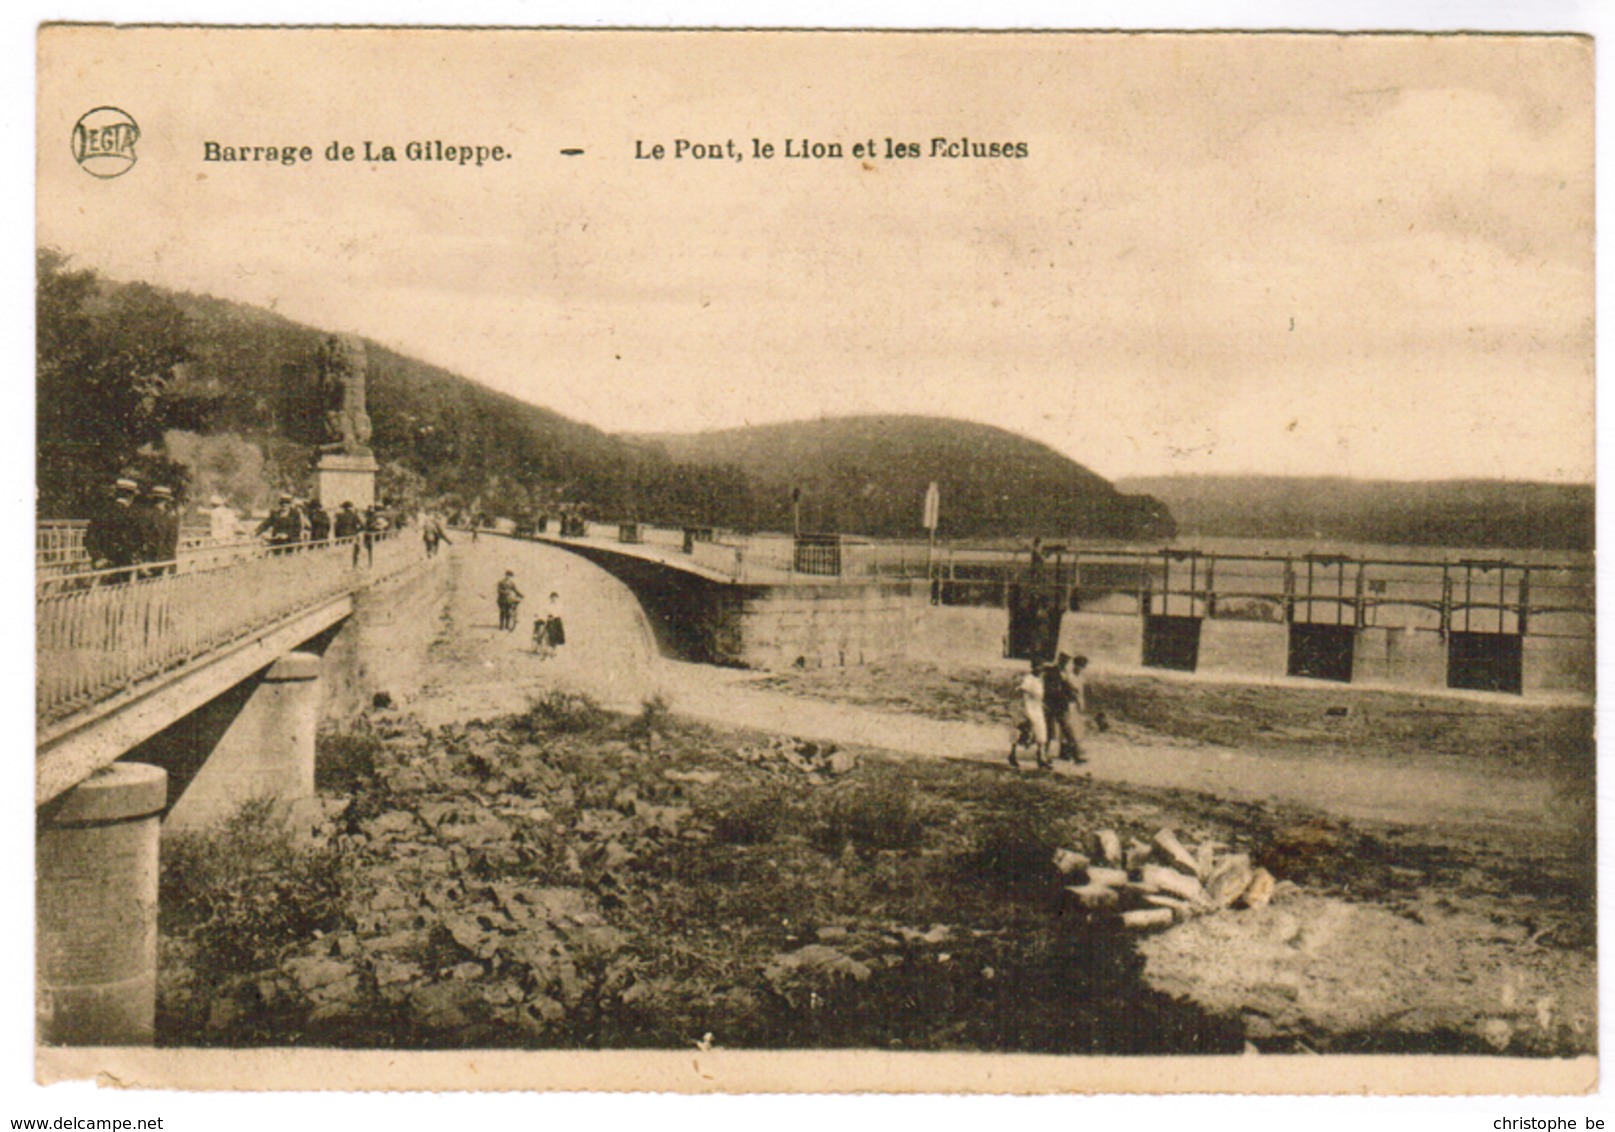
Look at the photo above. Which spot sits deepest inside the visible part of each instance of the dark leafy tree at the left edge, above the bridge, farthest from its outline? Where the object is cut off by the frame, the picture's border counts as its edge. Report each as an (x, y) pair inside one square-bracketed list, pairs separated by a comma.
[(103, 371)]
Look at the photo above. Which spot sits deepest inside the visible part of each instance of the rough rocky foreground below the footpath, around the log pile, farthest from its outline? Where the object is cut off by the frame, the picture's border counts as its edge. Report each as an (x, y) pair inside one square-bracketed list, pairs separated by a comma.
[(573, 879)]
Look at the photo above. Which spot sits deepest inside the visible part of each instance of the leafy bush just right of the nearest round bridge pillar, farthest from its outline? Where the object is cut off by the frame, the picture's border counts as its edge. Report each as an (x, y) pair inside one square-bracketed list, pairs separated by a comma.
[(246, 892)]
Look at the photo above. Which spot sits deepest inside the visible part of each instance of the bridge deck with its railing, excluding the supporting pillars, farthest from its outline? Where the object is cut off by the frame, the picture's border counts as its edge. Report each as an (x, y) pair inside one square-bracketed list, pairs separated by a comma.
[(125, 655)]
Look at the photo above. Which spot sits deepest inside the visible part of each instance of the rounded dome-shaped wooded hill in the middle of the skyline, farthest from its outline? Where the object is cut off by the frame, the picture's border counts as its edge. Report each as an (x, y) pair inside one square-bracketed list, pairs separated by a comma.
[(868, 476)]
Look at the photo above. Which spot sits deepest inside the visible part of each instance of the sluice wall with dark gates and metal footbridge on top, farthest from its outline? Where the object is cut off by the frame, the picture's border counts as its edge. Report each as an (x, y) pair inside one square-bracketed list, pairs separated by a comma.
[(1425, 621)]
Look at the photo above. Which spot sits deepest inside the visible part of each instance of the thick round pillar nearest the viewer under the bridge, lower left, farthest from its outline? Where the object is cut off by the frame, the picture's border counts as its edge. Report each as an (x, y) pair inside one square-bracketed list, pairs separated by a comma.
[(96, 908)]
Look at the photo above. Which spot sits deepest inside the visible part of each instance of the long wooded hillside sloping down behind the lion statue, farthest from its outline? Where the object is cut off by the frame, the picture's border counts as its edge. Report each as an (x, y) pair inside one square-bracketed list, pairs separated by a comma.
[(230, 405)]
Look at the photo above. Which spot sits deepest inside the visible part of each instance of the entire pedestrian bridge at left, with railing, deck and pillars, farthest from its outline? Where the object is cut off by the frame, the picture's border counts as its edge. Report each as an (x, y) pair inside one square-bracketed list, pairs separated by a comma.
[(214, 658)]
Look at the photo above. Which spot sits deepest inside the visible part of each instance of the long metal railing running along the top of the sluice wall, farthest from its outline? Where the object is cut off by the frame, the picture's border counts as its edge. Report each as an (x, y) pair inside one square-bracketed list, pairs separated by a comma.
[(1432, 593)]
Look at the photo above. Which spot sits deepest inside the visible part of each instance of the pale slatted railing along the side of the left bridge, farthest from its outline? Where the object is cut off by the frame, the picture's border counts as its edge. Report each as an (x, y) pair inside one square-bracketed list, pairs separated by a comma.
[(104, 631)]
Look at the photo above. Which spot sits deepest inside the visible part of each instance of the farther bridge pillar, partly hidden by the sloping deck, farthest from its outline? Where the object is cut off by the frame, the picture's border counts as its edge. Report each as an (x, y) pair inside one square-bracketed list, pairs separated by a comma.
[(266, 753)]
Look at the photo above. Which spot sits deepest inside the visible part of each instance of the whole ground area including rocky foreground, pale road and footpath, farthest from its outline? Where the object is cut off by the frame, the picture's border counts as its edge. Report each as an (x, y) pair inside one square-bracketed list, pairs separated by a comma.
[(500, 863)]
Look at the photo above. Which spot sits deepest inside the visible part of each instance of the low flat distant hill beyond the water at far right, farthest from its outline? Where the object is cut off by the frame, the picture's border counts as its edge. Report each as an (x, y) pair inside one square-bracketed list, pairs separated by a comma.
[(1443, 513)]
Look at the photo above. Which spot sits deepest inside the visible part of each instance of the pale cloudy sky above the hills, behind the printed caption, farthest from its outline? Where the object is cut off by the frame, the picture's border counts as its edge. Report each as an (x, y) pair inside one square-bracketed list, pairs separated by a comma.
[(1267, 254)]
